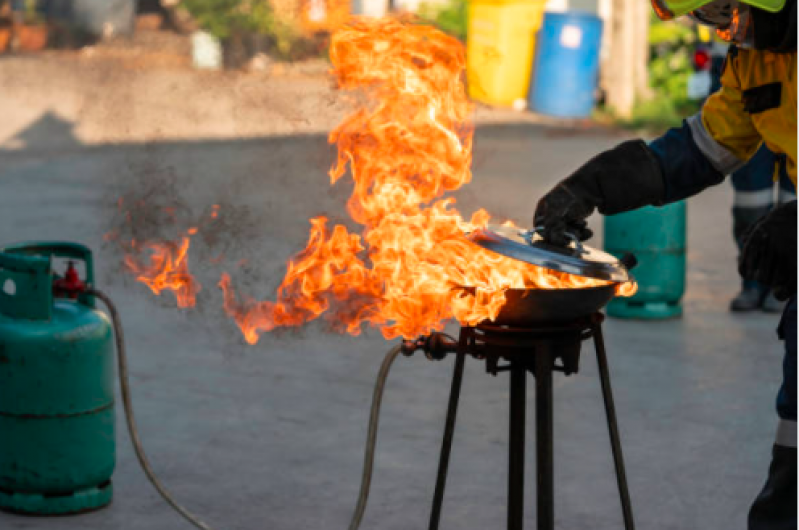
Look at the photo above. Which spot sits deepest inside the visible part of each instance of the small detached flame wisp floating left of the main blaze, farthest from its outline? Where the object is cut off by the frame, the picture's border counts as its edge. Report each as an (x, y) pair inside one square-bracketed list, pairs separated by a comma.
[(167, 270)]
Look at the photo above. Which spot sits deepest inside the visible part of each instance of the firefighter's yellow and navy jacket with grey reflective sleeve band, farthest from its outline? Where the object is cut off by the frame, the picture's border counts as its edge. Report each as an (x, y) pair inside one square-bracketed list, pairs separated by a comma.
[(756, 104)]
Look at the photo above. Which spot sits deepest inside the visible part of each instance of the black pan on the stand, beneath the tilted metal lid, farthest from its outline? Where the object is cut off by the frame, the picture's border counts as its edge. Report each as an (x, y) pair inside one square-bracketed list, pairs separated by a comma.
[(534, 307)]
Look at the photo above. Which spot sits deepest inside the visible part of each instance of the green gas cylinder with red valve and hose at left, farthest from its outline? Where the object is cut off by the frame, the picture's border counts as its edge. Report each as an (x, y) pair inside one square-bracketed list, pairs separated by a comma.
[(57, 449)]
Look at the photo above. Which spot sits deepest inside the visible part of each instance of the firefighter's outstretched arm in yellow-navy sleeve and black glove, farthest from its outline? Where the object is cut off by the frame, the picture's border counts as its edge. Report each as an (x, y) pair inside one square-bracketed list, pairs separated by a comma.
[(679, 164)]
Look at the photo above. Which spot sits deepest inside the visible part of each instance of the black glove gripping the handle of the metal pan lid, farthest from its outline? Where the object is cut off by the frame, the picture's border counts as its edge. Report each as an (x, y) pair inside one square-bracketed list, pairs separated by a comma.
[(621, 179)]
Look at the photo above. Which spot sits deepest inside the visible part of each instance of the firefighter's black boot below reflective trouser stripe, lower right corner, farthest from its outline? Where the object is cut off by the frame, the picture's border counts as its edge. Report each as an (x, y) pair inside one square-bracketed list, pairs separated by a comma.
[(775, 507)]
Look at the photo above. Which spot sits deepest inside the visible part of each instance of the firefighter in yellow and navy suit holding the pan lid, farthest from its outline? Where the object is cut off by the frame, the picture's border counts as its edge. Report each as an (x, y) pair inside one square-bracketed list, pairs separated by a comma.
[(756, 105)]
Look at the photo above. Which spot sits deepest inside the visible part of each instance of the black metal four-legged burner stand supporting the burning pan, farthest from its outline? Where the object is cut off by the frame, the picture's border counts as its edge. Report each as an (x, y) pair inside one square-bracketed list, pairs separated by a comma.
[(535, 350)]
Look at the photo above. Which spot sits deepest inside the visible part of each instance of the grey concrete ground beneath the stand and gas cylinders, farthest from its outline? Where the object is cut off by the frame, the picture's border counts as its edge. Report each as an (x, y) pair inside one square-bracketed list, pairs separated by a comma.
[(271, 436)]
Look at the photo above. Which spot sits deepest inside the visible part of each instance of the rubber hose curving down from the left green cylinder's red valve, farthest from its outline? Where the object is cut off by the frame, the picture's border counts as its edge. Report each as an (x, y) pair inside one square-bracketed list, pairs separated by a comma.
[(124, 384)]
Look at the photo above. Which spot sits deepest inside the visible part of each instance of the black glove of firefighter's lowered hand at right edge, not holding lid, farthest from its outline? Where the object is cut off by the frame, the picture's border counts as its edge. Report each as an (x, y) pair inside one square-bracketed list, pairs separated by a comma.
[(769, 251)]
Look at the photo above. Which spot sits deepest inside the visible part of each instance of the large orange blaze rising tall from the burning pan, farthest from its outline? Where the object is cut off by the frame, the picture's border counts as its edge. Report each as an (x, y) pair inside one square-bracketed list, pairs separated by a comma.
[(407, 146)]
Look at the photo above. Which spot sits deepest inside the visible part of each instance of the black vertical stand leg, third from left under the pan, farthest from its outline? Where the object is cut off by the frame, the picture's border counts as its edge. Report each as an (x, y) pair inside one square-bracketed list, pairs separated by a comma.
[(545, 482)]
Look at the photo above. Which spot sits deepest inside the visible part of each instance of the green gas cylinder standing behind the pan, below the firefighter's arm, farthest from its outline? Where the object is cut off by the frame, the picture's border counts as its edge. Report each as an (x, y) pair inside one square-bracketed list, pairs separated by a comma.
[(656, 236)]
